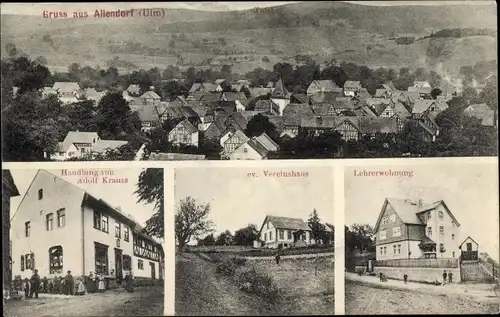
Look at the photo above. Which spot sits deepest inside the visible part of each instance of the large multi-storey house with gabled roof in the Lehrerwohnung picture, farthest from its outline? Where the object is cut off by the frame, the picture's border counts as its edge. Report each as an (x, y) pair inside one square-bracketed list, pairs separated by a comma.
[(407, 229)]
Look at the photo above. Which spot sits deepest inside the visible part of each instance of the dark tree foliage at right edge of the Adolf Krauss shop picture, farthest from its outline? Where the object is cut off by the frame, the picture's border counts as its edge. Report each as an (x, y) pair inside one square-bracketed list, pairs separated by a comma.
[(150, 190)]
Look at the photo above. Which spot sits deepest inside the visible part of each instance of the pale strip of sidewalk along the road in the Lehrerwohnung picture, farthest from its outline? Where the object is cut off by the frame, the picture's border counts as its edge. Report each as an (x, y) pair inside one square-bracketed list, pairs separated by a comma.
[(483, 292)]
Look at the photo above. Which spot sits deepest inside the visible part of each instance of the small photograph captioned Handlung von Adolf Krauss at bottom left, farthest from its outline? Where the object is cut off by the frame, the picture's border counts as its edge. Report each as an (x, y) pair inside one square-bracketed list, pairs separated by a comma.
[(75, 245)]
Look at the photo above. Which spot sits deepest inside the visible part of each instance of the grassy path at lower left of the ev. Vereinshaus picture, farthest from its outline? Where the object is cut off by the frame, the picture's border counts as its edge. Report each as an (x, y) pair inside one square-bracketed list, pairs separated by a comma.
[(200, 291)]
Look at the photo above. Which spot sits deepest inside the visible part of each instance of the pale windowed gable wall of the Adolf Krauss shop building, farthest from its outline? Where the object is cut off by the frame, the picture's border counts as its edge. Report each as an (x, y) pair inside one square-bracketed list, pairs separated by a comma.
[(57, 194)]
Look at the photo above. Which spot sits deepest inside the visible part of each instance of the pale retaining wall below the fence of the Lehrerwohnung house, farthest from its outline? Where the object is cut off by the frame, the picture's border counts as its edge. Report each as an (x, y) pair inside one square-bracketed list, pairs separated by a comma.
[(418, 274)]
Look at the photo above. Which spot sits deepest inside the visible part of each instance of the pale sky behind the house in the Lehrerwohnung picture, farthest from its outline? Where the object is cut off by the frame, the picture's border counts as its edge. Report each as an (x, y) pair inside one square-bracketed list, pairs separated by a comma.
[(470, 192)]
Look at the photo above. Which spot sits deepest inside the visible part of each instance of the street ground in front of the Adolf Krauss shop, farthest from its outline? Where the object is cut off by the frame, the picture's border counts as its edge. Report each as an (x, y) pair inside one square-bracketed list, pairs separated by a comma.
[(144, 301)]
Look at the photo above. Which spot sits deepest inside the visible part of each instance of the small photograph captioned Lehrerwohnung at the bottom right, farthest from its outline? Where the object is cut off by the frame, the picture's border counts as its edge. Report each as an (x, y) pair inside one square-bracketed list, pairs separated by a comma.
[(417, 243)]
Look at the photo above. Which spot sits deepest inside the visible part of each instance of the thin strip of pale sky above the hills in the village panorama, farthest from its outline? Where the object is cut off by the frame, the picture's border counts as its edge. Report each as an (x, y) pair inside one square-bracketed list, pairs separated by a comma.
[(36, 9)]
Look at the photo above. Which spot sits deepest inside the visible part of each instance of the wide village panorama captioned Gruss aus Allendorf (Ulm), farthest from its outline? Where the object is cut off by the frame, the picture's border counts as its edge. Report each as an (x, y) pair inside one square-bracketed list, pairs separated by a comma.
[(248, 80)]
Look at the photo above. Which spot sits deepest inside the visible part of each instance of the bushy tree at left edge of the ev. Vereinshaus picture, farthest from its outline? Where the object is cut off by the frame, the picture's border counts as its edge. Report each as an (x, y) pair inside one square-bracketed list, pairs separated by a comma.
[(191, 221)]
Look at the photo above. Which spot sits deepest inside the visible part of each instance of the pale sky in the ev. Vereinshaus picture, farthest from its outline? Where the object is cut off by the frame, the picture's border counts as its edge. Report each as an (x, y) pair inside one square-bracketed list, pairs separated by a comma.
[(238, 200)]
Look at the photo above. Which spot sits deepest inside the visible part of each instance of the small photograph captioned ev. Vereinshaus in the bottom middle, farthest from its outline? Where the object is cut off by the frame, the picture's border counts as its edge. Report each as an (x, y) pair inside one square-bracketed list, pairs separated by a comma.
[(254, 241)]
